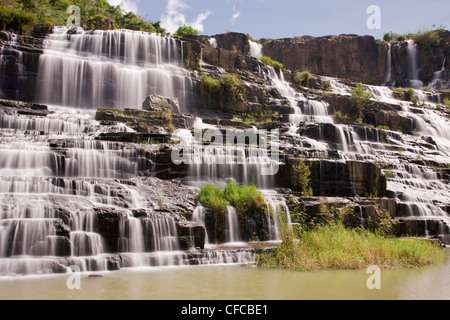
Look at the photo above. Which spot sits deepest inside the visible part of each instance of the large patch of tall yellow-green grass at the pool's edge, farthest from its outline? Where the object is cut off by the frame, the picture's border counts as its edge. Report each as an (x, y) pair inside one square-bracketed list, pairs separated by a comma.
[(333, 246)]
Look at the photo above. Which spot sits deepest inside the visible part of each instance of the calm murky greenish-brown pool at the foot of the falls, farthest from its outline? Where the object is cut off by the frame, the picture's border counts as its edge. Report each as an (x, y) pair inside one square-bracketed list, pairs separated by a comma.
[(234, 283)]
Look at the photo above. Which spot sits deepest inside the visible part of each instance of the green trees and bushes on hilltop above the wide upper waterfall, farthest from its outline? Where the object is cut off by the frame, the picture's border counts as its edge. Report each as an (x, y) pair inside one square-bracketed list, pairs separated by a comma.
[(22, 15)]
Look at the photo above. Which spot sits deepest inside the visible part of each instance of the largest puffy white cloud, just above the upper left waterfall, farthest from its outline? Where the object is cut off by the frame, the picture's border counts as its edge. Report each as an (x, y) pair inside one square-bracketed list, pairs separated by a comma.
[(174, 18)]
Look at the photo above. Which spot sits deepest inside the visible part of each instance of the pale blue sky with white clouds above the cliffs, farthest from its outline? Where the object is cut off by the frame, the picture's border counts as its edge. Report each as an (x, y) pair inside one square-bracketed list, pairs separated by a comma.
[(289, 18)]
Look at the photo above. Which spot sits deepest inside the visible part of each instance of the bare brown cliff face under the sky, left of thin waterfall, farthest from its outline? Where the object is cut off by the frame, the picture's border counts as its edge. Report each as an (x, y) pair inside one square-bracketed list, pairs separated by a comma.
[(358, 58)]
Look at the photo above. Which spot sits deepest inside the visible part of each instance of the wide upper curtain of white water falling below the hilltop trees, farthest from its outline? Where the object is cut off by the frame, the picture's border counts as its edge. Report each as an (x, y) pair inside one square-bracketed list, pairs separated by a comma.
[(111, 69)]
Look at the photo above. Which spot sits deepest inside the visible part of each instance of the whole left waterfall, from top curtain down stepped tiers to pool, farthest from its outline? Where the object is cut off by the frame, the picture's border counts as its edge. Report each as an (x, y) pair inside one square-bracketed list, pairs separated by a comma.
[(70, 199)]
